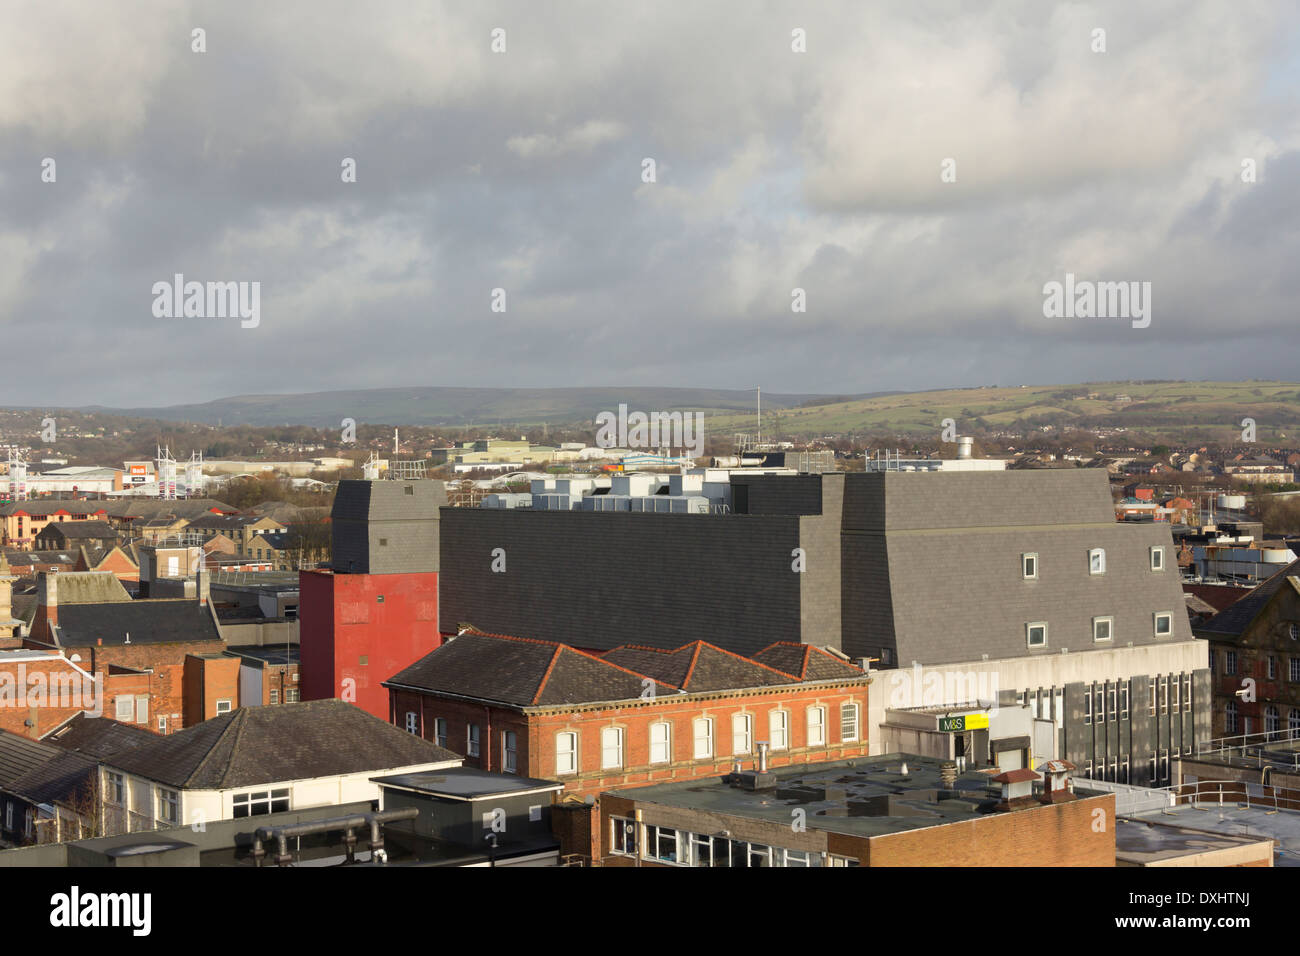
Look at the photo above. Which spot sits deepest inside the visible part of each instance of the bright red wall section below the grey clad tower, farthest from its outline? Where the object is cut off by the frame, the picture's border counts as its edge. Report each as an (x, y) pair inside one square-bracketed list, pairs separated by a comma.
[(353, 642)]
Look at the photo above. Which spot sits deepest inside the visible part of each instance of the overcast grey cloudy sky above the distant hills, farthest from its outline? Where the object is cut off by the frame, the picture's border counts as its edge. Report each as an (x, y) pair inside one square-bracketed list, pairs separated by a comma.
[(523, 171)]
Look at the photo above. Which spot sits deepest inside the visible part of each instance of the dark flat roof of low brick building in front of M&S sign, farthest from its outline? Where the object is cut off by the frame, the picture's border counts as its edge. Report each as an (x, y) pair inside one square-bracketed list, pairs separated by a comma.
[(866, 797)]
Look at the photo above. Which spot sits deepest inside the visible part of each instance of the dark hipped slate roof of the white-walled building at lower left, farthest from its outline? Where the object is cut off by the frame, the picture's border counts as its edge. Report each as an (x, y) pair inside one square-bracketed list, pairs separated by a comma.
[(293, 742)]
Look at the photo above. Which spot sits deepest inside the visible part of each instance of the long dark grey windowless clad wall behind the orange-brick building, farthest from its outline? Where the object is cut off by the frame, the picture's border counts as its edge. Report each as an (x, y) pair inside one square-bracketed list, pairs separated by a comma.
[(604, 579)]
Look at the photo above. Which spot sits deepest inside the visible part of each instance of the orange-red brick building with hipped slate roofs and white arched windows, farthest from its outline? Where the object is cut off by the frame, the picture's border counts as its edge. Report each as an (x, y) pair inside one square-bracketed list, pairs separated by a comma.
[(632, 715)]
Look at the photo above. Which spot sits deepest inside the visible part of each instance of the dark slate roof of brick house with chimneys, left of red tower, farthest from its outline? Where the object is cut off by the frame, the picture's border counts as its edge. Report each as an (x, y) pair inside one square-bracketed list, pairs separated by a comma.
[(166, 621)]
